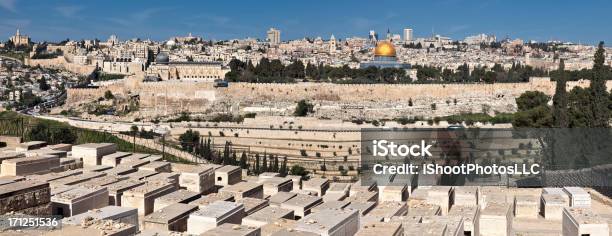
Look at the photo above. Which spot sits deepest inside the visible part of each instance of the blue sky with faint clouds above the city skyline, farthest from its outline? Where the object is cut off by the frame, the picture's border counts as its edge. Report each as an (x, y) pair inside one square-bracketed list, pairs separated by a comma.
[(578, 21)]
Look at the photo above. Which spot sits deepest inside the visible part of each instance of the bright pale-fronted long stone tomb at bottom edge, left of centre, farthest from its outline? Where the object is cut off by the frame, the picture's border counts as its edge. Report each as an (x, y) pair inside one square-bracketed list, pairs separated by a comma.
[(214, 215)]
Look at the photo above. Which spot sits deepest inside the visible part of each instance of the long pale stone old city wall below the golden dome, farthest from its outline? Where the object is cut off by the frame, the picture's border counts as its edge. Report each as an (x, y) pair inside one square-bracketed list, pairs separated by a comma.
[(168, 97)]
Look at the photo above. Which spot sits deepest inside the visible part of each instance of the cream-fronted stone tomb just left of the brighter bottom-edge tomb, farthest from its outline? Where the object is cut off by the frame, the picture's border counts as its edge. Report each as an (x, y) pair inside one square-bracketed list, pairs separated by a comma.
[(173, 217)]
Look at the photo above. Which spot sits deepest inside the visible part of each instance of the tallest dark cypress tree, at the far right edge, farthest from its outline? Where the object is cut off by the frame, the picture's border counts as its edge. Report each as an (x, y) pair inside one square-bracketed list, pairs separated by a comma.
[(599, 104)]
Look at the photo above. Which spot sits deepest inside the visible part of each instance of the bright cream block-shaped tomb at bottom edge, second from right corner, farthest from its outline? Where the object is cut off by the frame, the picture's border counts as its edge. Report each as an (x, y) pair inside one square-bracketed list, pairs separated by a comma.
[(498, 215)]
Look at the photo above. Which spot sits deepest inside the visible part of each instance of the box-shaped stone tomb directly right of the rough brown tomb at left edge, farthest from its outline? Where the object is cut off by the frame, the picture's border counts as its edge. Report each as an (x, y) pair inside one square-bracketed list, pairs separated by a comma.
[(79, 200)]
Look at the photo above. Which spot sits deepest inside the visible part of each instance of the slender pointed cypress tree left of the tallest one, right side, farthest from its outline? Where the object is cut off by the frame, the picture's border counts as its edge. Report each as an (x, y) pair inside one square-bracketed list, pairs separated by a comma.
[(560, 101)]
